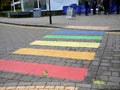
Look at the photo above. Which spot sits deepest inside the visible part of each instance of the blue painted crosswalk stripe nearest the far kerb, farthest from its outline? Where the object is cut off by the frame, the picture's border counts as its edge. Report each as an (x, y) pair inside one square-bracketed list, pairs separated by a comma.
[(77, 32)]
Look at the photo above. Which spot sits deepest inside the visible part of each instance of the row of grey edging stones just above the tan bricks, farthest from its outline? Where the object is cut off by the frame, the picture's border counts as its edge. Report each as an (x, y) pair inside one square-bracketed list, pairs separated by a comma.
[(79, 85)]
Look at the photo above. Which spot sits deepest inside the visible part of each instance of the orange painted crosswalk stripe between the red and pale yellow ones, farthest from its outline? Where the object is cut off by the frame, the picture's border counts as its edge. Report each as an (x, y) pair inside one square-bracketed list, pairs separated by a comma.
[(56, 53)]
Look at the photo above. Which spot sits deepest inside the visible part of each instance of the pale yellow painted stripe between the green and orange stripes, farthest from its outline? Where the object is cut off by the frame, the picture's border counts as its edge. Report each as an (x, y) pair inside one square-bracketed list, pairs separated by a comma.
[(66, 44)]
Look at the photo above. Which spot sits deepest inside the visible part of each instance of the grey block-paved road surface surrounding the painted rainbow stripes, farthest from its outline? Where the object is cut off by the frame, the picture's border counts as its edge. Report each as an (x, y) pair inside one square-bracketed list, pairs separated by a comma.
[(104, 66)]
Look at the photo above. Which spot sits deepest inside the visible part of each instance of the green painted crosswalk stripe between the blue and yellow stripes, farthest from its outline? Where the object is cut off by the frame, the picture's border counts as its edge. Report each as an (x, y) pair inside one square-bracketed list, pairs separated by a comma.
[(73, 37)]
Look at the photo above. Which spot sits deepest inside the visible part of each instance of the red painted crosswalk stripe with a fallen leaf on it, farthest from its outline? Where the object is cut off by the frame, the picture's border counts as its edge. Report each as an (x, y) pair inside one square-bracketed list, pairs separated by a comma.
[(72, 73)]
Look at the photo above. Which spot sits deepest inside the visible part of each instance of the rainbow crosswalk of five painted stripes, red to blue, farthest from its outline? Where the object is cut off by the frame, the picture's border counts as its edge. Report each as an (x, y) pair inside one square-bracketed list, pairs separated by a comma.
[(55, 70)]
